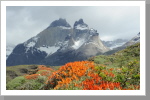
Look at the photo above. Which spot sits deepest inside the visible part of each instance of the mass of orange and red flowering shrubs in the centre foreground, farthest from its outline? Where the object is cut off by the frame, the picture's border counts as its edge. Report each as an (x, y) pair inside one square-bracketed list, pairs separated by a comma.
[(71, 75)]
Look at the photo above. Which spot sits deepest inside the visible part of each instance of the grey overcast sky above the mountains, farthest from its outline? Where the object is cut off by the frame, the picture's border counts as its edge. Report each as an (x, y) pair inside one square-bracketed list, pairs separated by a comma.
[(24, 22)]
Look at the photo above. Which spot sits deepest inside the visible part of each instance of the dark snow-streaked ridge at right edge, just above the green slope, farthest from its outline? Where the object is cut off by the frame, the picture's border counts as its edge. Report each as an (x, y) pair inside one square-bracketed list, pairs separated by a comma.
[(133, 41)]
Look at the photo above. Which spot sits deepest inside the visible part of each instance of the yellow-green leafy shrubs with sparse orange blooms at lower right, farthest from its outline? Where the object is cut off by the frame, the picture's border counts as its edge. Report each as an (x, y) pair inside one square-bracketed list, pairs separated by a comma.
[(128, 75)]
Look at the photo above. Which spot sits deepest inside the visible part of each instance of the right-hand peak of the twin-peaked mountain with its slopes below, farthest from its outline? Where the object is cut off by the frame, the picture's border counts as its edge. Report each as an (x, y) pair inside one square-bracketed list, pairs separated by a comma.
[(84, 43)]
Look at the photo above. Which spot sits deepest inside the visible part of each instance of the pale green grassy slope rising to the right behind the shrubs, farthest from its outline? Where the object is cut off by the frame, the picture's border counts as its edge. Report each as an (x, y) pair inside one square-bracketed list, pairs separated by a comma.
[(120, 58)]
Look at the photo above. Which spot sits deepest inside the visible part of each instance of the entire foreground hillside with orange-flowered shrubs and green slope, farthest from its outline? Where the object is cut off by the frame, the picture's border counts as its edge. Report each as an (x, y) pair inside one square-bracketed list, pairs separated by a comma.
[(119, 71)]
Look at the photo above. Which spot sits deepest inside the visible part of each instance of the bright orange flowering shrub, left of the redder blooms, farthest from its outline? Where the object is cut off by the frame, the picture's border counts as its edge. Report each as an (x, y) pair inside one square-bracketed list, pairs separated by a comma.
[(69, 72)]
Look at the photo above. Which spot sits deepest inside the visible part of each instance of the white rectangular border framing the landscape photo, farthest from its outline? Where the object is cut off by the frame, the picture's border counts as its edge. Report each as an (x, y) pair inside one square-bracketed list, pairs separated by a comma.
[(72, 3)]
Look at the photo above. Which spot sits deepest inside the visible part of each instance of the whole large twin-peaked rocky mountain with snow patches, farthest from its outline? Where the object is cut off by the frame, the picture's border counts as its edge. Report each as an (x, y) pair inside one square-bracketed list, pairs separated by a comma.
[(58, 44)]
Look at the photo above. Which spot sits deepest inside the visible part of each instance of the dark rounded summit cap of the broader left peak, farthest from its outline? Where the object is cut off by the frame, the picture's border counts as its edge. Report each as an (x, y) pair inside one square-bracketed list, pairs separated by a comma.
[(60, 22)]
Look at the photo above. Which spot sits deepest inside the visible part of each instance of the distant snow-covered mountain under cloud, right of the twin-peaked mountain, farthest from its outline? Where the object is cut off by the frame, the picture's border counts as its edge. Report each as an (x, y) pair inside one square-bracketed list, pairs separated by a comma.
[(115, 43)]
